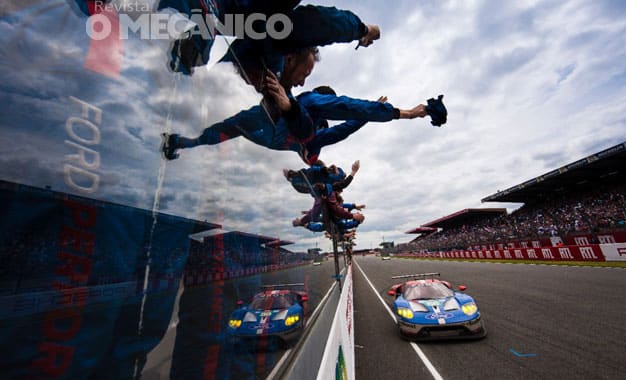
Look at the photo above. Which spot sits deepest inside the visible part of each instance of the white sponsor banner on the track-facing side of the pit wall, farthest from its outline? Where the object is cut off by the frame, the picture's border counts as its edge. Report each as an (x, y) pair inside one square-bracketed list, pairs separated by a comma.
[(338, 356)]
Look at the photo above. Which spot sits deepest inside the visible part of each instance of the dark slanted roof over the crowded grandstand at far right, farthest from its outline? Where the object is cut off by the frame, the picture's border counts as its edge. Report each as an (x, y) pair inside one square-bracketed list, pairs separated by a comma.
[(605, 167)]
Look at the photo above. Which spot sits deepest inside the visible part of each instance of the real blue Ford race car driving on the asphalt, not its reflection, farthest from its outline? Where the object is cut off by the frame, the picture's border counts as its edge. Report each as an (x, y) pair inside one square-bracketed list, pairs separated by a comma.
[(428, 308)]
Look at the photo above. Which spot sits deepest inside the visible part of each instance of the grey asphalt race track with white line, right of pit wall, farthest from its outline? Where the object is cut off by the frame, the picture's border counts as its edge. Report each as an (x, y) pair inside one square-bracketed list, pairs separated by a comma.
[(543, 322)]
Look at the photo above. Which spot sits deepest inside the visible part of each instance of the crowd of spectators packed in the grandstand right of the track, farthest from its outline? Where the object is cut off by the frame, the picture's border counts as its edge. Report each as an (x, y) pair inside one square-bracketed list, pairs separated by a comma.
[(592, 212)]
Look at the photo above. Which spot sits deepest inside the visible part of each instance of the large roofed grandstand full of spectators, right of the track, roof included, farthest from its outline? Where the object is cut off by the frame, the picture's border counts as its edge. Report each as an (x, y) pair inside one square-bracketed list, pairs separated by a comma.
[(581, 203)]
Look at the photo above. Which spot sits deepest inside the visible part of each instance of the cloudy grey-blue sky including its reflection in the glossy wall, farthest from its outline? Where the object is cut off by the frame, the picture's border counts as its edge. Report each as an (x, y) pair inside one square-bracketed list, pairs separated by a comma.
[(529, 85)]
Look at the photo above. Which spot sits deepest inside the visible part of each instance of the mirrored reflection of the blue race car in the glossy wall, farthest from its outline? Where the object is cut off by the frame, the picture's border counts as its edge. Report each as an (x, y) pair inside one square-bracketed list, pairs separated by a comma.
[(273, 312)]
